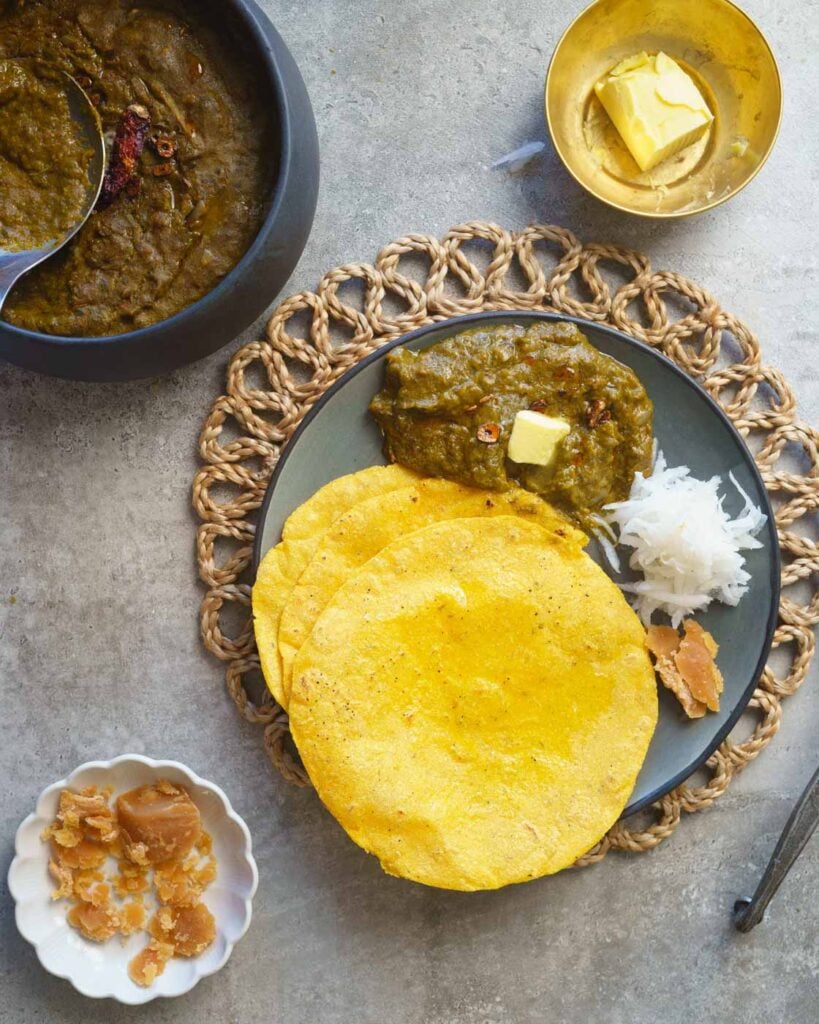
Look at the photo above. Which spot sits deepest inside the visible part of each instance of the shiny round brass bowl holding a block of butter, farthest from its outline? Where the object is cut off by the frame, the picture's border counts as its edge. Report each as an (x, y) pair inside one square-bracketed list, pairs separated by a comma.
[(727, 57)]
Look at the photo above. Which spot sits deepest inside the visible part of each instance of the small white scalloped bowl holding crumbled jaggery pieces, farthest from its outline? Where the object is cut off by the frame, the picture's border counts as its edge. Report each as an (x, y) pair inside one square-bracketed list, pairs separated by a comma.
[(101, 971)]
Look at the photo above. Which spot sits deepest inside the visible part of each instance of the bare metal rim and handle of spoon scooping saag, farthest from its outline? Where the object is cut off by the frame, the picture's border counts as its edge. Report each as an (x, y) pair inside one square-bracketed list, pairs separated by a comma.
[(15, 265)]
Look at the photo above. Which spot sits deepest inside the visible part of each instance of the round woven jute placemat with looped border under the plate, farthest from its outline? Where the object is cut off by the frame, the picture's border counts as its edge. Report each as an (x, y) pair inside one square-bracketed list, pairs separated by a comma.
[(314, 337)]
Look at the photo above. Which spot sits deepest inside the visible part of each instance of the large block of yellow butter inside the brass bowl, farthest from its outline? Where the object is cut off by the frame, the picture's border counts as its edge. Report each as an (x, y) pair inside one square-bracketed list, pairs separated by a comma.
[(656, 107)]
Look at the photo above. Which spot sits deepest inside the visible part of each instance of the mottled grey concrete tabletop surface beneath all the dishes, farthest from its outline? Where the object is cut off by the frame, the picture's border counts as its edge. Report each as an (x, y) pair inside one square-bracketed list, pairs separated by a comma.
[(99, 646)]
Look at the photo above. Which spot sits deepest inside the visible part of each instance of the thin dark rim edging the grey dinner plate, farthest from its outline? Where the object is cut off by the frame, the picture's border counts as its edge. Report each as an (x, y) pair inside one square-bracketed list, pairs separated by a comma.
[(469, 320)]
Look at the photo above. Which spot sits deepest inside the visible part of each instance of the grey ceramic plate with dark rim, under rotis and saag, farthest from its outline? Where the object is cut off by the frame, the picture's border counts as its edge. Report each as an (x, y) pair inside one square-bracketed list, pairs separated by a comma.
[(338, 437)]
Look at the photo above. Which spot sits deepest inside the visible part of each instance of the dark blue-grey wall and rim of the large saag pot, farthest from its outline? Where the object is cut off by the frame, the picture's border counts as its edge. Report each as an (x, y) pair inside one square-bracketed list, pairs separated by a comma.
[(248, 290)]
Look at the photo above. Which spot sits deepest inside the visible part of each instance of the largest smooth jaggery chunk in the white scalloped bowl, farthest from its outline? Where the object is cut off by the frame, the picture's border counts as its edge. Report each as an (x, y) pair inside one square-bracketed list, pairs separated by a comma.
[(158, 823)]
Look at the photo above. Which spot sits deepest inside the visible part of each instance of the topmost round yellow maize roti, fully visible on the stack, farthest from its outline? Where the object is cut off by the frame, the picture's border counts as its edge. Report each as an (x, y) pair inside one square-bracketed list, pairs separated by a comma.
[(476, 703)]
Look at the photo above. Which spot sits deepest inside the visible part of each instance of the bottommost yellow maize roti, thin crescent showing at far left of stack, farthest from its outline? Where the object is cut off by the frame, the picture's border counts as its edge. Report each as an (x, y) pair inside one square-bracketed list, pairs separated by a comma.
[(283, 565)]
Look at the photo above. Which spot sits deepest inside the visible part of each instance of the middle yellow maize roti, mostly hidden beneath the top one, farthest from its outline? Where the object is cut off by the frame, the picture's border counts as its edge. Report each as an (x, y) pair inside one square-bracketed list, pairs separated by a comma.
[(372, 525)]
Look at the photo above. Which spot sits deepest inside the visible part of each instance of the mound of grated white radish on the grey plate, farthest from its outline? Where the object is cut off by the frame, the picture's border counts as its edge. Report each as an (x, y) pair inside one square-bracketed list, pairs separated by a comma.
[(685, 544)]
